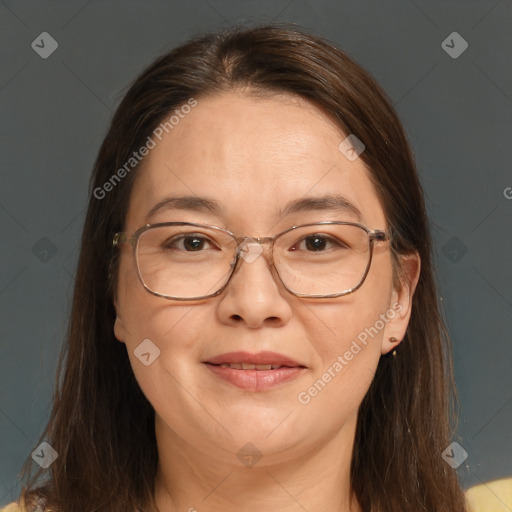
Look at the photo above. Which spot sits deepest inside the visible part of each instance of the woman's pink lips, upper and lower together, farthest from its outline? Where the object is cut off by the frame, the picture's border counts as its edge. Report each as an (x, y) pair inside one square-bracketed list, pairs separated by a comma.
[(255, 380)]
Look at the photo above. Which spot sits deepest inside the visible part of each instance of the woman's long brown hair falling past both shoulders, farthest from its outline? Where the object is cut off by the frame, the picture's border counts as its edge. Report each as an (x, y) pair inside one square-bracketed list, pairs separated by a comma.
[(101, 424)]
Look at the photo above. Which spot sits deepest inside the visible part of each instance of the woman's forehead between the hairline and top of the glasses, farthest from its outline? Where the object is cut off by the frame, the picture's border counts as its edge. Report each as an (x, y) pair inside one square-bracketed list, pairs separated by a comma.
[(252, 157)]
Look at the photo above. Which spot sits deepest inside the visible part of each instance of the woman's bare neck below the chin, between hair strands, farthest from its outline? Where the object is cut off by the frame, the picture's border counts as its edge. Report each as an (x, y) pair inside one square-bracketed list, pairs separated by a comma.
[(198, 480)]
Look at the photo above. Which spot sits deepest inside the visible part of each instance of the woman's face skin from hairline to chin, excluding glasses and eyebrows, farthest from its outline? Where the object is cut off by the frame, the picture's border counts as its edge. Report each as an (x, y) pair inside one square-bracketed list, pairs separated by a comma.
[(253, 157)]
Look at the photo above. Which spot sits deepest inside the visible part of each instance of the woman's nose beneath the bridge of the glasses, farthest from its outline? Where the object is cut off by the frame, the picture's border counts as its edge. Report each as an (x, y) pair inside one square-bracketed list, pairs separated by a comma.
[(254, 295)]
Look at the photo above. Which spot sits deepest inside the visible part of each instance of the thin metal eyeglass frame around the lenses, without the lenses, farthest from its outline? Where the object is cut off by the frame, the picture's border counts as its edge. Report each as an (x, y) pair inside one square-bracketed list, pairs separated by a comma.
[(133, 239)]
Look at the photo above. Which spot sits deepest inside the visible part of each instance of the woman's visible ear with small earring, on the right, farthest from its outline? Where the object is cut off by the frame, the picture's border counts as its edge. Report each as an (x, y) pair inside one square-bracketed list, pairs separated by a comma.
[(401, 301)]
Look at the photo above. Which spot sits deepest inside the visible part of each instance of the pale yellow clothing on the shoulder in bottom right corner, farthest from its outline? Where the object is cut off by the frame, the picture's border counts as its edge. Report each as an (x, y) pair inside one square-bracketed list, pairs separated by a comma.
[(495, 496)]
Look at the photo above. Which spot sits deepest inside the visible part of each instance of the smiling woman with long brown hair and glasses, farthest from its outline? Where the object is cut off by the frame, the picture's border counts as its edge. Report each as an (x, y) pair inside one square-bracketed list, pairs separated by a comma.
[(210, 368)]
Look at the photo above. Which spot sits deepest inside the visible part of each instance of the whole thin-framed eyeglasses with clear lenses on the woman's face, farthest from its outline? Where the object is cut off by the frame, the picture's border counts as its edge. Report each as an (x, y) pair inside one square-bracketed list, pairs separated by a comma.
[(189, 261)]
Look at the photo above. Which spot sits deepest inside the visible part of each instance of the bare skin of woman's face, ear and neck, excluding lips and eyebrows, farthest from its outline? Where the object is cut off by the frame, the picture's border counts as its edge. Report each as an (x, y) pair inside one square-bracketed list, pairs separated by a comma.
[(254, 155)]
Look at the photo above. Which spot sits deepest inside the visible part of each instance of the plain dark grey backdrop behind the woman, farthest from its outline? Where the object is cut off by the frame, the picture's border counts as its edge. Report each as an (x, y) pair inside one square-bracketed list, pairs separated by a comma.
[(457, 113)]
